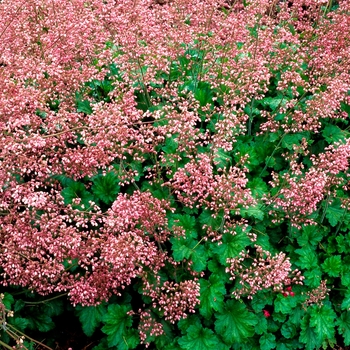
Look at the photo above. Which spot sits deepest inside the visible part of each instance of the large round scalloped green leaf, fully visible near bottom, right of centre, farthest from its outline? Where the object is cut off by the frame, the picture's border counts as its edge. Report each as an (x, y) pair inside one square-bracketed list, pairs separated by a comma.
[(235, 323)]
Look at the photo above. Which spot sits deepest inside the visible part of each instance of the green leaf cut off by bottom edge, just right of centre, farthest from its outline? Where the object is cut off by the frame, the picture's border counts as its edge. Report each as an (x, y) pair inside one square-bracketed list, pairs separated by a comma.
[(198, 338)]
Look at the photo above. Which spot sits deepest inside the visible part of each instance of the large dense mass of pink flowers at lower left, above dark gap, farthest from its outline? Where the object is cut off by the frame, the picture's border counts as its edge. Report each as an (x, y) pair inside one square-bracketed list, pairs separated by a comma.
[(43, 251)]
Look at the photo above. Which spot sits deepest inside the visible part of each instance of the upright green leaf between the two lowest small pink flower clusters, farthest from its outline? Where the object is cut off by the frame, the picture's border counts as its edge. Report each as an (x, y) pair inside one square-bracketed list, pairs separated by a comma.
[(212, 295)]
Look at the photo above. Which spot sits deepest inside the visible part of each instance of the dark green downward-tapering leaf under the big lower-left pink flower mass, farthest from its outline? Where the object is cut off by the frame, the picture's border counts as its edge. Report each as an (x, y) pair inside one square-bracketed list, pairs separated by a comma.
[(90, 317)]
